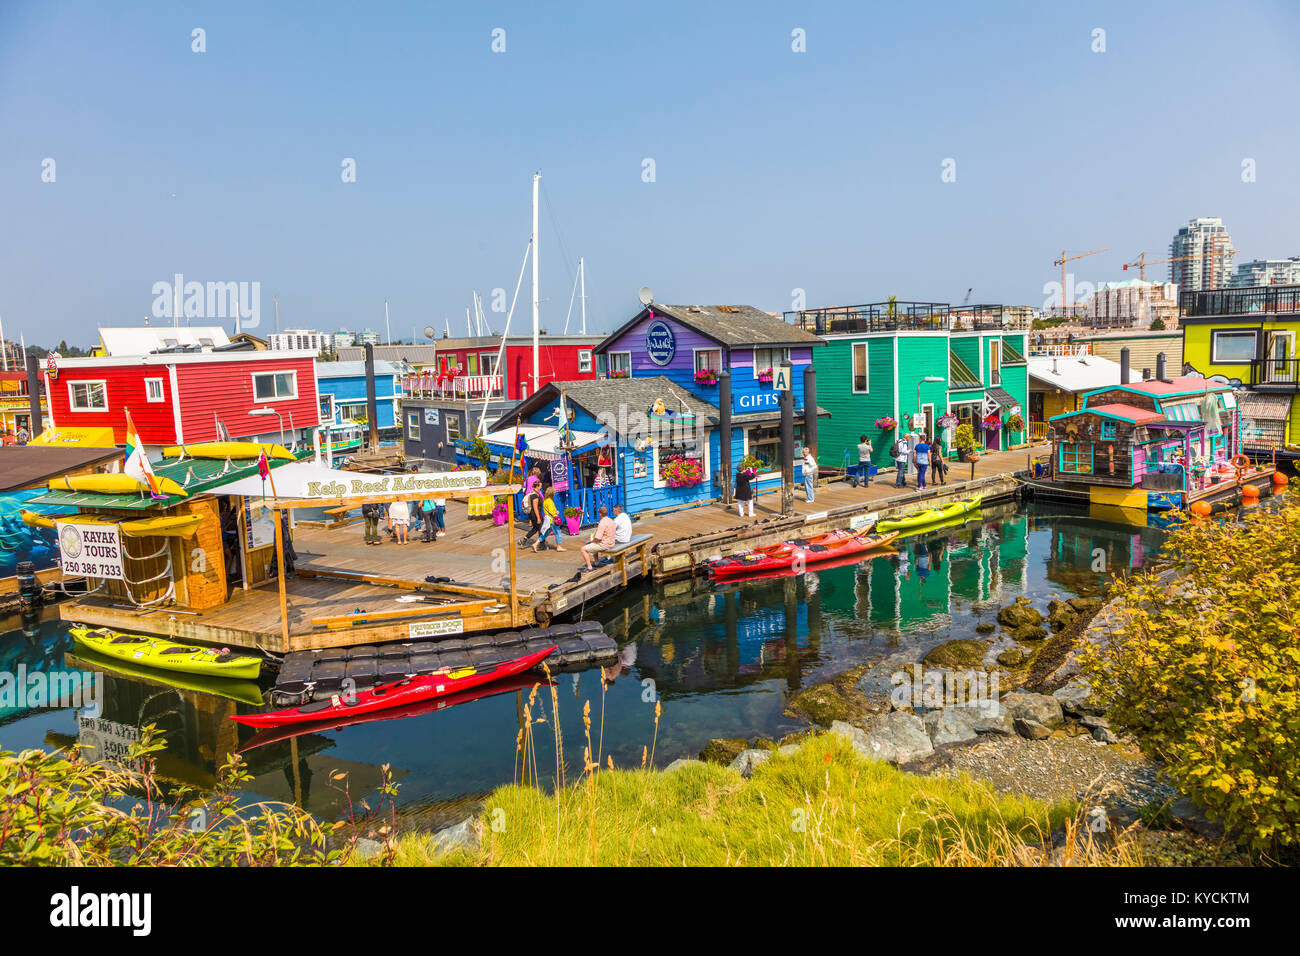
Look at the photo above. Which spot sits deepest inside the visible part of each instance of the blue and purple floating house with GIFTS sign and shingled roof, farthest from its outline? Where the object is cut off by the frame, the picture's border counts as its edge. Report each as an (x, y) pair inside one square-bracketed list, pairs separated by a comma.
[(647, 432)]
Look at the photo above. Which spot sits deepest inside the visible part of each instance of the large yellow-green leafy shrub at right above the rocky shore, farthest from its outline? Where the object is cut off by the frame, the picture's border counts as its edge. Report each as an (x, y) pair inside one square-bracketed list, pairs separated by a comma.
[(1207, 672)]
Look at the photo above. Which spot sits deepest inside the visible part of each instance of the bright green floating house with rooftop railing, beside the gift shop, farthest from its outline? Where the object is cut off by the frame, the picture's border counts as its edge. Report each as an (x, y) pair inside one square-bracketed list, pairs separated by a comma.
[(890, 362)]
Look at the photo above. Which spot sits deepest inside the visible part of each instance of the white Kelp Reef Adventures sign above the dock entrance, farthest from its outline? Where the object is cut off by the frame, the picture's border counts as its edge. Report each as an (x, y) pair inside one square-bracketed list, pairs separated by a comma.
[(318, 483)]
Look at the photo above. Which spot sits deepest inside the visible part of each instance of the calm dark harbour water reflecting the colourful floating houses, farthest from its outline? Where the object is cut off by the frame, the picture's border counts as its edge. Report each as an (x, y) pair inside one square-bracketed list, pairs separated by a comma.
[(723, 660)]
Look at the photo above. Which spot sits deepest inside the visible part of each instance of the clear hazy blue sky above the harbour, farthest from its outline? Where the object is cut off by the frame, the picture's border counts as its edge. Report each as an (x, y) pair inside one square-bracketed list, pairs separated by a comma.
[(774, 170)]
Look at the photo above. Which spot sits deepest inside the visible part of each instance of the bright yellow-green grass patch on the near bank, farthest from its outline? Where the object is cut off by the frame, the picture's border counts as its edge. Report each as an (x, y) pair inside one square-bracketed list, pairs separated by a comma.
[(822, 806)]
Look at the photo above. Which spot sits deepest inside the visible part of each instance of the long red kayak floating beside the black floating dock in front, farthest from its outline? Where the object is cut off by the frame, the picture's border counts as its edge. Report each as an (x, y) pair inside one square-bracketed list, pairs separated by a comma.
[(400, 694)]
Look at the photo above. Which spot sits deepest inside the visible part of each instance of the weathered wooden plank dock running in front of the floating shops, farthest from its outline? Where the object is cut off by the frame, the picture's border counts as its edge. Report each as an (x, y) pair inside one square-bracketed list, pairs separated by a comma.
[(349, 594)]
